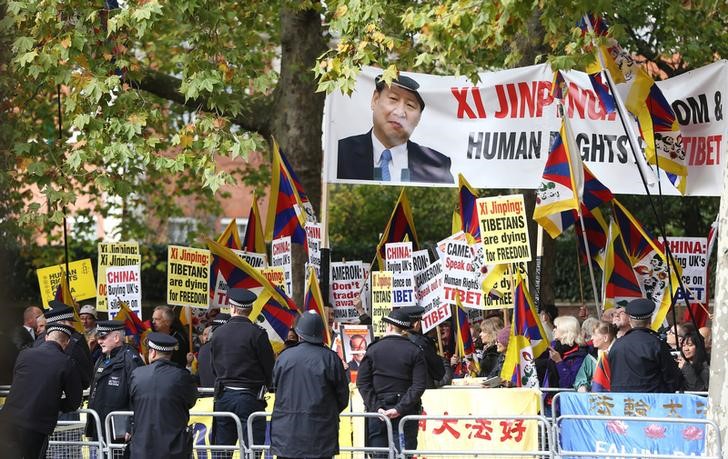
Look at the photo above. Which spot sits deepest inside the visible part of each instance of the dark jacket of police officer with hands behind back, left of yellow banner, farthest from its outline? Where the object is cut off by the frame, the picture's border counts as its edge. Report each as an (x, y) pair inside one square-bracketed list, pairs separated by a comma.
[(392, 374)]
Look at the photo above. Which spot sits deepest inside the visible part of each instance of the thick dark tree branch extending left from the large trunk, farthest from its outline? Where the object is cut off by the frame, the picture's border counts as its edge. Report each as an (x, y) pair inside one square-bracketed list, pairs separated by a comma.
[(255, 115)]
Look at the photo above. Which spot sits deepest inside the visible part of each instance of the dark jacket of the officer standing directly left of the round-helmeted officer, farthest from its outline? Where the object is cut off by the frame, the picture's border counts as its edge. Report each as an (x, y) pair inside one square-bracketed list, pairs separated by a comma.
[(242, 356)]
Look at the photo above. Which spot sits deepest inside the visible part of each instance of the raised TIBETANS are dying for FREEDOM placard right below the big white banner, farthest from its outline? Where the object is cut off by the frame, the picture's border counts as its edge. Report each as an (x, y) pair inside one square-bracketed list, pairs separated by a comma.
[(504, 229)]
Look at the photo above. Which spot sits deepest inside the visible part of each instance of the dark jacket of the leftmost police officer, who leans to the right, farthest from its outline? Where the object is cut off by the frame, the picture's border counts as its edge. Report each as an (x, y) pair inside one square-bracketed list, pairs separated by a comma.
[(43, 375)]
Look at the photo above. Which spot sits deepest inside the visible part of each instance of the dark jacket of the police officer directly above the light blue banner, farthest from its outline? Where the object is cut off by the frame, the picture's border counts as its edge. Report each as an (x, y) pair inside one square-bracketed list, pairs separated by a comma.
[(641, 362)]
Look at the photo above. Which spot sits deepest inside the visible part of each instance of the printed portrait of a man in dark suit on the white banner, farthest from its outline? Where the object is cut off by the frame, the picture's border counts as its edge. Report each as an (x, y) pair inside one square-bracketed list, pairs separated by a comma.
[(385, 152)]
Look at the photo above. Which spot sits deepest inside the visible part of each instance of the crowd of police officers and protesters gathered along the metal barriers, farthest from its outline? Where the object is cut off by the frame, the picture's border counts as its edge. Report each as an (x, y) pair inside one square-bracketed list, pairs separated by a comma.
[(617, 352)]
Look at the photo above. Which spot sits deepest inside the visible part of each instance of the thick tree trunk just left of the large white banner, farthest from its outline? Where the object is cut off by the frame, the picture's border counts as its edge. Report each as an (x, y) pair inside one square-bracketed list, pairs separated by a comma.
[(298, 111)]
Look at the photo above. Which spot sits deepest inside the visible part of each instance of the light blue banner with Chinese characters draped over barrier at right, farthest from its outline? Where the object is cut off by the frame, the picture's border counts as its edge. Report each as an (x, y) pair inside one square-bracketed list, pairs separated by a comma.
[(633, 437)]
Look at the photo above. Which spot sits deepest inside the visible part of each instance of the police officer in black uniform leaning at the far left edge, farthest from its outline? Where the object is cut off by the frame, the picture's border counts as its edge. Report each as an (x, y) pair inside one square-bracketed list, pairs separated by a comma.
[(45, 382)]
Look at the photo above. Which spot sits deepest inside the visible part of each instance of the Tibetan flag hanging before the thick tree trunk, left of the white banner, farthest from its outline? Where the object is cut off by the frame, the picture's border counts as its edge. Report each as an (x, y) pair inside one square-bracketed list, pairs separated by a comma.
[(286, 213)]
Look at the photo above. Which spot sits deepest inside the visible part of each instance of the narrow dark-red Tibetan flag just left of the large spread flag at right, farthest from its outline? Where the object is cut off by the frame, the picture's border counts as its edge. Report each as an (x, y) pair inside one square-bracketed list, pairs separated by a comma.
[(620, 281)]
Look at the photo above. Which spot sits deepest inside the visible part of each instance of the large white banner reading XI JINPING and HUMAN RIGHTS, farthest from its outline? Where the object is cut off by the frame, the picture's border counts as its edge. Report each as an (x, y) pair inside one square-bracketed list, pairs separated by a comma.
[(497, 133)]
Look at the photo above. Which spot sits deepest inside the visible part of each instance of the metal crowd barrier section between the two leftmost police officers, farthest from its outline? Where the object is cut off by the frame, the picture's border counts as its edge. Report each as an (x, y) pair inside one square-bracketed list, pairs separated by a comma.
[(66, 441)]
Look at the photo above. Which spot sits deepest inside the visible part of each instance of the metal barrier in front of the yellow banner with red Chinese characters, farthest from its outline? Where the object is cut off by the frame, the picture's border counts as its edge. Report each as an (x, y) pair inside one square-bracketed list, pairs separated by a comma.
[(543, 426)]
